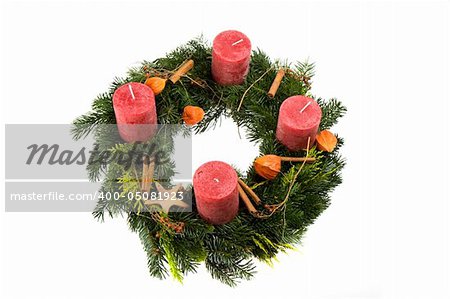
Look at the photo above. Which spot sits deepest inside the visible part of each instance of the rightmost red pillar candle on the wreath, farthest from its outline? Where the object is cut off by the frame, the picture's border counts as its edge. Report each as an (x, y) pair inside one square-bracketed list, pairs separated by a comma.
[(298, 120)]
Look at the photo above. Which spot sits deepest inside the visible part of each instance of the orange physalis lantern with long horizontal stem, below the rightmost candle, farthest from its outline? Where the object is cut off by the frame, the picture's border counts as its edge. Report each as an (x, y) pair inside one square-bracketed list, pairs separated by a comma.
[(268, 166)]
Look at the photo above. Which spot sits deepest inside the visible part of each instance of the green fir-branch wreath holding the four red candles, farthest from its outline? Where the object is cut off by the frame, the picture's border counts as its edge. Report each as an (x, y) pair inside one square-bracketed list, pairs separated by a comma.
[(177, 243)]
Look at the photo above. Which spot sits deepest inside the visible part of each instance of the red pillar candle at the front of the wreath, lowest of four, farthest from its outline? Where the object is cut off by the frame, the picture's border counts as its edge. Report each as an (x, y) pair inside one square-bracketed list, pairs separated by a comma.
[(216, 192)]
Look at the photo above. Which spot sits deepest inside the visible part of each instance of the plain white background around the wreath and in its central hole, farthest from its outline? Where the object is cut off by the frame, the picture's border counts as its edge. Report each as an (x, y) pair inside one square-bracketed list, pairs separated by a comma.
[(386, 234)]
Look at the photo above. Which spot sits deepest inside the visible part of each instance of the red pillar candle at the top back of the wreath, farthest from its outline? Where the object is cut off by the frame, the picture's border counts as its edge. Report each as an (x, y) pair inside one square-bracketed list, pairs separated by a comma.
[(230, 57)]
